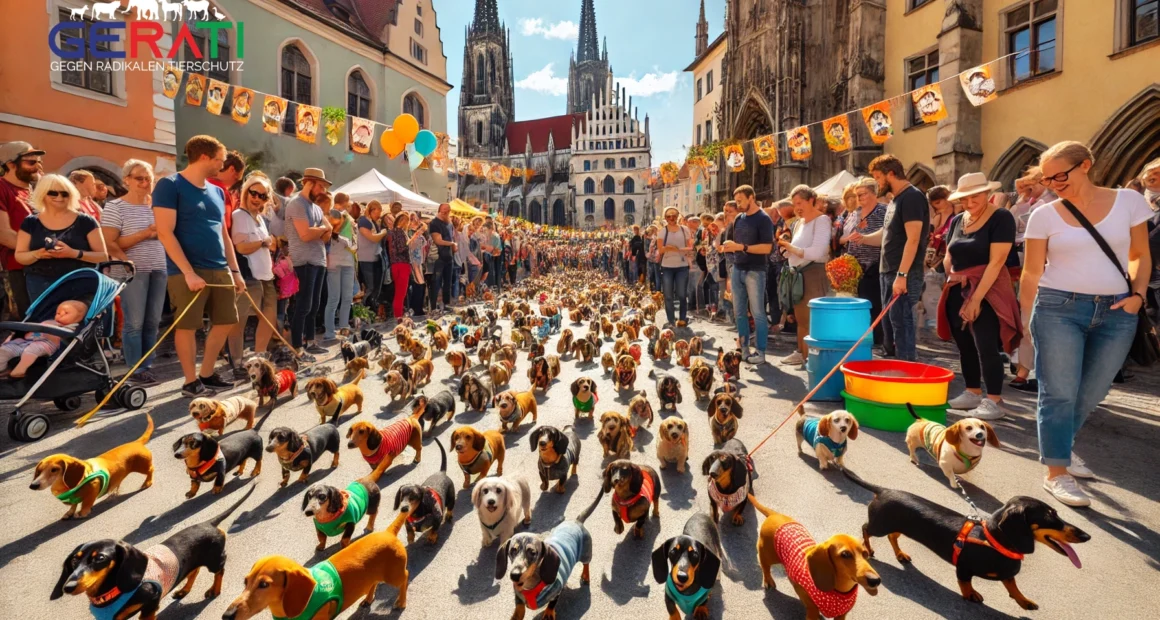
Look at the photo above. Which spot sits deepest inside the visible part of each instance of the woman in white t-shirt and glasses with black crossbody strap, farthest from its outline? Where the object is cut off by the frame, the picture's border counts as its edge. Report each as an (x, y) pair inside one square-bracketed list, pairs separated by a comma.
[(1084, 319)]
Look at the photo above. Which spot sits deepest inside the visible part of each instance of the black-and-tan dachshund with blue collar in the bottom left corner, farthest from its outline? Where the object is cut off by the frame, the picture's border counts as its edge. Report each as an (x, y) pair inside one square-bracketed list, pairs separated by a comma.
[(121, 580)]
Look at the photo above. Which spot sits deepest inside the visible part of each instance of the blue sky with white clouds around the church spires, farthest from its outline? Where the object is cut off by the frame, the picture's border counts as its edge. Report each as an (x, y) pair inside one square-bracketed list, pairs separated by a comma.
[(650, 44)]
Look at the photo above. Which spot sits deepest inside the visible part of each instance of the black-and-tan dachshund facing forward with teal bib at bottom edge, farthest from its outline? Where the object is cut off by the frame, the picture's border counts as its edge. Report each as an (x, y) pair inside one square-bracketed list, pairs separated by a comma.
[(688, 565)]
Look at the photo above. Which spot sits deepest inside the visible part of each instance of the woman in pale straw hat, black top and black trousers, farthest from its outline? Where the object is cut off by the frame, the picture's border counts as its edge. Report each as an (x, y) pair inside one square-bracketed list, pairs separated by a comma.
[(978, 308)]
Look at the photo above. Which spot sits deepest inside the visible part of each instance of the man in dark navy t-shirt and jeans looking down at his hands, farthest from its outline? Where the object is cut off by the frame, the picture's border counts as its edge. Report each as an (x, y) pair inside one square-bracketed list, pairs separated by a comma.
[(753, 241)]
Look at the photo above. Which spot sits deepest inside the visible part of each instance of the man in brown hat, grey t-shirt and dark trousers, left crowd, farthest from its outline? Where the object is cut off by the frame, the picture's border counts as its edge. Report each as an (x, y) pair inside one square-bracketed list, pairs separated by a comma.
[(308, 232)]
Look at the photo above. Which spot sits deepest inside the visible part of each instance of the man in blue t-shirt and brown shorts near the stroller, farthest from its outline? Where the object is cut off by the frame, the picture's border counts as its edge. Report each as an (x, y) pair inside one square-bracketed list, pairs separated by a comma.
[(191, 225)]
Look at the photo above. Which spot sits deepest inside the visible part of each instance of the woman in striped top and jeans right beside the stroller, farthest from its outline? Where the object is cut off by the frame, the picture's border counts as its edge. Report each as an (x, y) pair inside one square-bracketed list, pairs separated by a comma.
[(130, 234)]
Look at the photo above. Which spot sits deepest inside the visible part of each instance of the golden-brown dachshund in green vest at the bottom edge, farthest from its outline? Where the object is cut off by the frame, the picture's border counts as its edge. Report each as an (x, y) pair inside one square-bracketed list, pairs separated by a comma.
[(325, 590)]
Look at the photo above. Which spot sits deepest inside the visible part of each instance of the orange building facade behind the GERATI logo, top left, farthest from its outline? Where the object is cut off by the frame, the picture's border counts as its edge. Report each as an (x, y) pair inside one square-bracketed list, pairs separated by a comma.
[(84, 119)]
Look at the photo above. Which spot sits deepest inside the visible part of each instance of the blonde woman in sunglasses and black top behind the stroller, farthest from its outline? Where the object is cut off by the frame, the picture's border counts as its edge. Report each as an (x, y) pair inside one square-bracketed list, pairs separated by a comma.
[(57, 239)]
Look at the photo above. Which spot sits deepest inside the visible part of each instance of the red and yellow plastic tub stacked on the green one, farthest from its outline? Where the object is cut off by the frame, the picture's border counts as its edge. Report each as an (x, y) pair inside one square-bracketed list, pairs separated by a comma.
[(896, 383)]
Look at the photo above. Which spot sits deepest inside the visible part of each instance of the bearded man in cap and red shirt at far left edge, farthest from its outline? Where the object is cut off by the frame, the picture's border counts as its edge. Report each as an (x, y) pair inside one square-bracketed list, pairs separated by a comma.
[(23, 168)]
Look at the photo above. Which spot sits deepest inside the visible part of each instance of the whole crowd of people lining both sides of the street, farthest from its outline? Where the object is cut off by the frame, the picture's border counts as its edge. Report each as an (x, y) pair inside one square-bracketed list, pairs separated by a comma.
[(996, 273)]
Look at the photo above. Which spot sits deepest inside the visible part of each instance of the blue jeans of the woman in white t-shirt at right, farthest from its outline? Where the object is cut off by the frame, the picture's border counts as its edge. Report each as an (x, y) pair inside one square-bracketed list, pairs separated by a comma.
[(1081, 344)]
